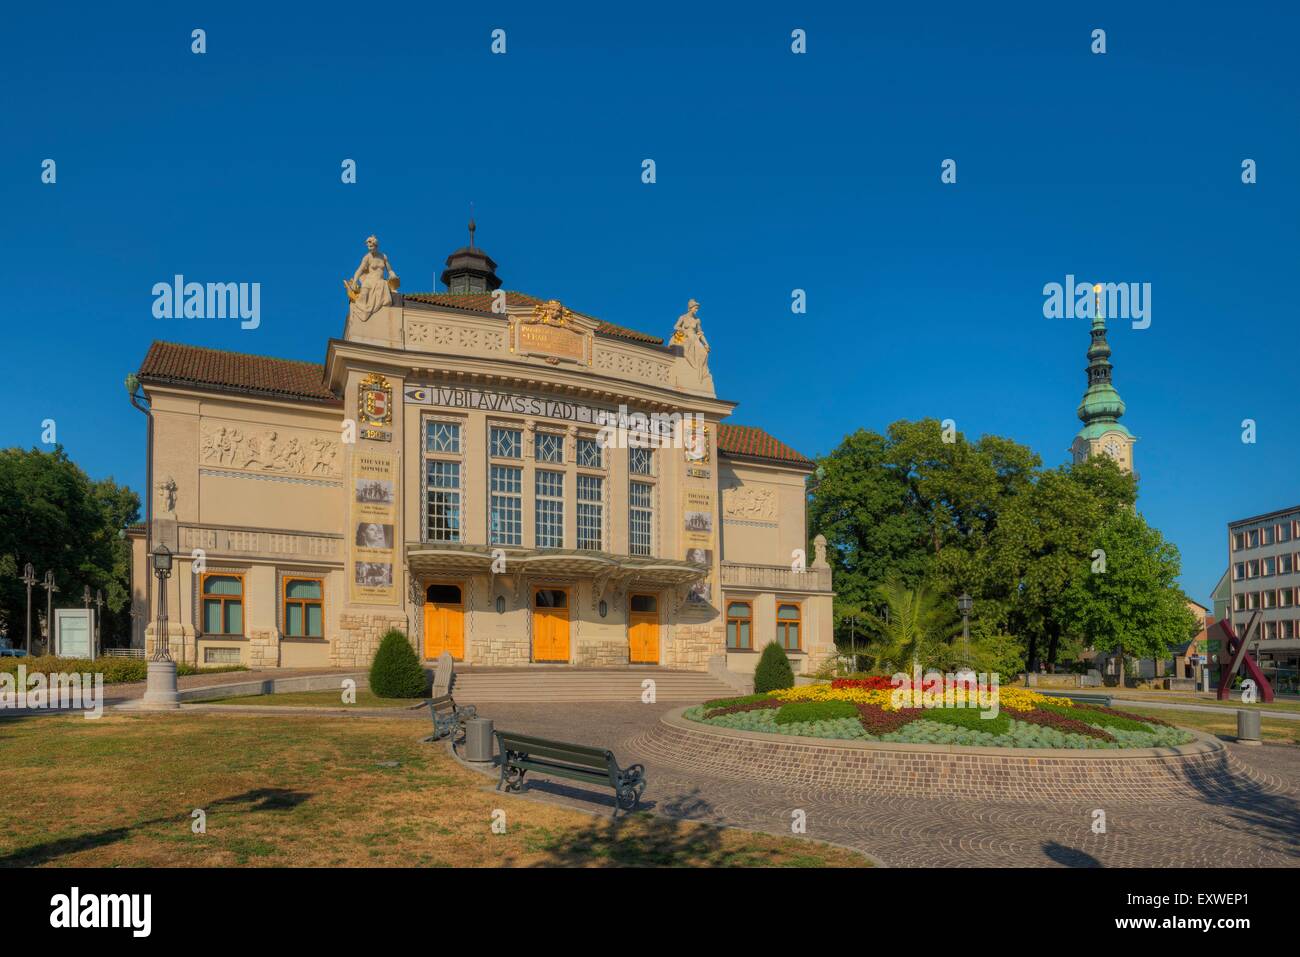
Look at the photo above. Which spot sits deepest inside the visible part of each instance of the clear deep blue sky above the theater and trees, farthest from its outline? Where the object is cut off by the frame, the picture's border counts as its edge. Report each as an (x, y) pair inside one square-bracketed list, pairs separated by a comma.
[(774, 172)]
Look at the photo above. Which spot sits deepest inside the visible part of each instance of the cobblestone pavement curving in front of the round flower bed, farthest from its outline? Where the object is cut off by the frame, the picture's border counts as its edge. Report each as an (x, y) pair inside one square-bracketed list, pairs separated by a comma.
[(1255, 825)]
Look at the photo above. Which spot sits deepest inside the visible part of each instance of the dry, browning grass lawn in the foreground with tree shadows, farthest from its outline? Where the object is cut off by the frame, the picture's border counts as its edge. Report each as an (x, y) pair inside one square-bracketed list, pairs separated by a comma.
[(311, 791)]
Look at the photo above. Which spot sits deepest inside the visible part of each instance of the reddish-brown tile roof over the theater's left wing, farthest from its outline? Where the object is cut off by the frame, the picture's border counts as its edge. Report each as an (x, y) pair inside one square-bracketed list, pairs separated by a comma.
[(259, 375)]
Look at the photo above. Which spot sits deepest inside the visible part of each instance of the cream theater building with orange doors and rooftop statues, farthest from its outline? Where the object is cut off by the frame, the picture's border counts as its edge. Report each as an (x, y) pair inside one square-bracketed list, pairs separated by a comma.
[(497, 475)]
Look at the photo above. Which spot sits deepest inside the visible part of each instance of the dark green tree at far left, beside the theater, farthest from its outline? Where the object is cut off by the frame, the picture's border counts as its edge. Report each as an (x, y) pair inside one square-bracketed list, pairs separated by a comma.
[(55, 517)]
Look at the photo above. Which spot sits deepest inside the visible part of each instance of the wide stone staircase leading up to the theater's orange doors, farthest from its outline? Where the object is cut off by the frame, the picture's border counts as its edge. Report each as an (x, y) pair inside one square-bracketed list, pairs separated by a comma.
[(473, 686)]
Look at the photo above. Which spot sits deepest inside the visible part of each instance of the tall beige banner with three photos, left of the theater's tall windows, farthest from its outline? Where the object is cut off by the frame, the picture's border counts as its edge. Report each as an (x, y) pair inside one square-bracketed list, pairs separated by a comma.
[(372, 534)]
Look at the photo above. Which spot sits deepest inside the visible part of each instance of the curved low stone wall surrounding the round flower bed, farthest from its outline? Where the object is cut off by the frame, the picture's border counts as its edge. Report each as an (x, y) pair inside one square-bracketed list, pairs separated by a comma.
[(950, 772)]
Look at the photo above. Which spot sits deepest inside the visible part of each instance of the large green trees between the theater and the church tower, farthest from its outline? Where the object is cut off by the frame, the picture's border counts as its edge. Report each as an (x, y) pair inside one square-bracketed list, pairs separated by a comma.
[(930, 516)]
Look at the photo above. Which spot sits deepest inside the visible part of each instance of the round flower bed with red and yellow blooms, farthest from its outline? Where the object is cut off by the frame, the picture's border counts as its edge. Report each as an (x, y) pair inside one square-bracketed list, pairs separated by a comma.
[(1024, 720)]
